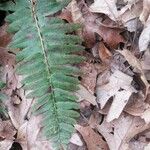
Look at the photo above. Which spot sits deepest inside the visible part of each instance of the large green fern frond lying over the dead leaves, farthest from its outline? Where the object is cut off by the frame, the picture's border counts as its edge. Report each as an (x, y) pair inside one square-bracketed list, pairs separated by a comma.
[(46, 58)]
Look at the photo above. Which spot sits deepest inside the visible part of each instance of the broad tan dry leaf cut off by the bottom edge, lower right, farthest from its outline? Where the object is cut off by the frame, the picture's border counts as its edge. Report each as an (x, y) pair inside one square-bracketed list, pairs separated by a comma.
[(119, 132)]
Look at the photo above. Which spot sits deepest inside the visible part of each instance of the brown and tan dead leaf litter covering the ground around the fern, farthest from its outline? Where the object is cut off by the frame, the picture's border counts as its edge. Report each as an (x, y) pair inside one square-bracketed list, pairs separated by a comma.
[(114, 95)]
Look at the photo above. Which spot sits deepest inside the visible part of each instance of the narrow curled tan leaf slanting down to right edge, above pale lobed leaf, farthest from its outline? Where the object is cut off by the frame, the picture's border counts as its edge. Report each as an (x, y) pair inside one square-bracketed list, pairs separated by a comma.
[(135, 63)]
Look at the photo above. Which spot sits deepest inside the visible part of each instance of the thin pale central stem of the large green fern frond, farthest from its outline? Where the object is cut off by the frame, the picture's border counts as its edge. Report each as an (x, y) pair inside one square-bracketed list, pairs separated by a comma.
[(43, 46)]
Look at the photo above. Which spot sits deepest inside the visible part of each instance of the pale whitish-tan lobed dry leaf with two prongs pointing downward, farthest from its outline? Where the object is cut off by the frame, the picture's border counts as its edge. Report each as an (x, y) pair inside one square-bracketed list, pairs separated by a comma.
[(120, 88)]
